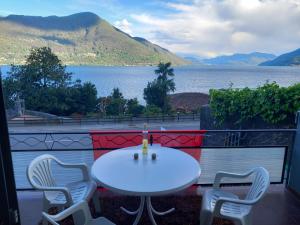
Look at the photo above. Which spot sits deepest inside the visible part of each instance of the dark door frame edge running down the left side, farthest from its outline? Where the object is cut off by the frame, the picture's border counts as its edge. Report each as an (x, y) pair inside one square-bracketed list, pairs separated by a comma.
[(9, 212)]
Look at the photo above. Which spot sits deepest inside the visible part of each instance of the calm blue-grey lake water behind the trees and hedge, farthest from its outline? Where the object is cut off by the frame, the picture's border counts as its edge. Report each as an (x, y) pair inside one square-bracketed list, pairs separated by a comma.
[(132, 80)]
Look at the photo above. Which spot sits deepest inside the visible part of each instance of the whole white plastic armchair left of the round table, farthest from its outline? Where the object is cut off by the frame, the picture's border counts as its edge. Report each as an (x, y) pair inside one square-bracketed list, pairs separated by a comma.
[(40, 176)]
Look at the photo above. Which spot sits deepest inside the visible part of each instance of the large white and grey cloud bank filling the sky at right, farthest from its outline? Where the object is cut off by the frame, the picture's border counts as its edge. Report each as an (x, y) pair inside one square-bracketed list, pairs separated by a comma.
[(213, 27)]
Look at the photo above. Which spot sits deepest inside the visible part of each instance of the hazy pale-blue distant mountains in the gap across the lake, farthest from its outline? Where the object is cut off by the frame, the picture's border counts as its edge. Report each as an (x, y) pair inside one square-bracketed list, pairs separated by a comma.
[(240, 59)]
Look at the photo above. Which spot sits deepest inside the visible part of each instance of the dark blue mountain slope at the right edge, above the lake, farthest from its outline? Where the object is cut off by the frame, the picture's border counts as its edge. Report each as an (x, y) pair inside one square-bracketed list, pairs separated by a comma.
[(288, 59)]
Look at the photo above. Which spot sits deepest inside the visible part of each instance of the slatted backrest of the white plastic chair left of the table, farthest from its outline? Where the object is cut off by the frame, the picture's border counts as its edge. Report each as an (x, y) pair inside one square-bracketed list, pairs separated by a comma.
[(39, 171)]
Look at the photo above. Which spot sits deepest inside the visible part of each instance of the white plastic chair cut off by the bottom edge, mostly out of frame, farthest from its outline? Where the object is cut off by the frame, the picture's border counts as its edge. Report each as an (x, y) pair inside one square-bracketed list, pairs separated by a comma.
[(81, 206)]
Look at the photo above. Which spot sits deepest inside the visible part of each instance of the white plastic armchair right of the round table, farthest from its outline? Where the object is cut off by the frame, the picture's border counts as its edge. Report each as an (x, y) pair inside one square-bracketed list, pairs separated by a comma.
[(222, 204)]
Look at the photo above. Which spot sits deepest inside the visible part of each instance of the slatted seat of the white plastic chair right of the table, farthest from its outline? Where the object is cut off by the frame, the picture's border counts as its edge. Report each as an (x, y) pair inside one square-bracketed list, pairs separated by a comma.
[(228, 209)]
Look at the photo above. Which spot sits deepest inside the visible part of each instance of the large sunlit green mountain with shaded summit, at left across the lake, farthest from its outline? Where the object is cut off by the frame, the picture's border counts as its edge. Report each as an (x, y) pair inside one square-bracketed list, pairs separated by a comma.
[(78, 39)]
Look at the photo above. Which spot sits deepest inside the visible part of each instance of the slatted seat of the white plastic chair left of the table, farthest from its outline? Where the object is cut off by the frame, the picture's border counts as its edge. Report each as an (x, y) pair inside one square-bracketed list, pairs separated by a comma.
[(79, 190)]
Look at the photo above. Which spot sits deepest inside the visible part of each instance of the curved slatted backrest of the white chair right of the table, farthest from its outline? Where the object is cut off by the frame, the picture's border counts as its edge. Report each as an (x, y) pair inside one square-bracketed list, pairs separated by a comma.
[(260, 184)]
